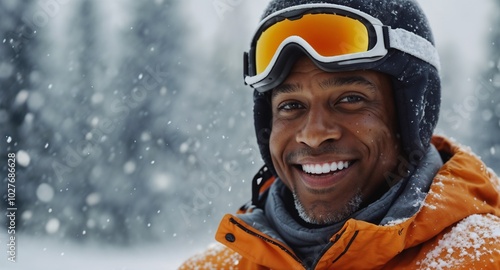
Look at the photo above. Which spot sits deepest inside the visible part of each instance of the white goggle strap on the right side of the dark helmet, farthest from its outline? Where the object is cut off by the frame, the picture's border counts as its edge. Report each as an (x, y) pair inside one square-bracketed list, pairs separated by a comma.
[(415, 45)]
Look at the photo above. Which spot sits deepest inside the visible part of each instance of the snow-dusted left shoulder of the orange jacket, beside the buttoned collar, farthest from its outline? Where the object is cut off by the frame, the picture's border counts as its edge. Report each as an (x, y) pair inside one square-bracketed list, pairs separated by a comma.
[(216, 256)]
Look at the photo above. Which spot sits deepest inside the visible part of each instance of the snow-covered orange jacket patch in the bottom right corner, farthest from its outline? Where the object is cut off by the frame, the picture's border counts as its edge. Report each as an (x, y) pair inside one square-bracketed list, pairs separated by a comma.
[(471, 240)]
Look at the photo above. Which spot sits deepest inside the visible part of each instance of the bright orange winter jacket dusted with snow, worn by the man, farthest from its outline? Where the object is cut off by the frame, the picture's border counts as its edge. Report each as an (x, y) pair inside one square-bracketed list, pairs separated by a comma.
[(458, 227)]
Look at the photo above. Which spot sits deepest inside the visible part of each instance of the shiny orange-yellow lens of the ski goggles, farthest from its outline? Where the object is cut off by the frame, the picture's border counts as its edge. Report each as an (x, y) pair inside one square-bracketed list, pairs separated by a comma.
[(328, 34)]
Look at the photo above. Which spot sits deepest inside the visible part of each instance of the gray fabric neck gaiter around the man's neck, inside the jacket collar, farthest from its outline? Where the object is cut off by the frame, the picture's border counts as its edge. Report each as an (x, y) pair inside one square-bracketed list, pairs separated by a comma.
[(401, 201)]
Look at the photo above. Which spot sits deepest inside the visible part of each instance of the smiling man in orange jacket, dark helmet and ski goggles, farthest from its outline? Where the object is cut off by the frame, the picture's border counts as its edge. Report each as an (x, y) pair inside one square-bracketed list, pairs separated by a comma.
[(347, 97)]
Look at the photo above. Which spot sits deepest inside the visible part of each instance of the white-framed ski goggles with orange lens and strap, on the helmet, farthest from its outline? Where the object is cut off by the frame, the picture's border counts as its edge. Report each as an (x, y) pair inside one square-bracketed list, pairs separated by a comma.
[(335, 37)]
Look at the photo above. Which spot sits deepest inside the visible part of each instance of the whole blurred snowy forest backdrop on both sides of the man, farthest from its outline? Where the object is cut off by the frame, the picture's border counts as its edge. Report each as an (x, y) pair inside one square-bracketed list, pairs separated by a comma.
[(134, 133)]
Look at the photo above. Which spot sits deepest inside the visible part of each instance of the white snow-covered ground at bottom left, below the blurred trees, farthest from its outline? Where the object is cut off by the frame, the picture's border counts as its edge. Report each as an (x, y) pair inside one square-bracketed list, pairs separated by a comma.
[(47, 254)]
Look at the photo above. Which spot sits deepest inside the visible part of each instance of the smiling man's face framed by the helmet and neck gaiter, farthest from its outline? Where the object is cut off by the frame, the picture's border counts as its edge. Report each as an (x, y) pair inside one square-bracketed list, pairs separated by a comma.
[(333, 138)]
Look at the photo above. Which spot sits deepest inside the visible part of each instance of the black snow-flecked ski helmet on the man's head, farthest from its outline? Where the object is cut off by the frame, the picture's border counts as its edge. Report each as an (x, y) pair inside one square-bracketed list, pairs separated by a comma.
[(416, 83)]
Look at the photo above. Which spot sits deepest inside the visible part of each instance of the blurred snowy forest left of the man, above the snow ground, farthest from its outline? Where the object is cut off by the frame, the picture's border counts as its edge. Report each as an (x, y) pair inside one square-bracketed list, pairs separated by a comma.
[(124, 130)]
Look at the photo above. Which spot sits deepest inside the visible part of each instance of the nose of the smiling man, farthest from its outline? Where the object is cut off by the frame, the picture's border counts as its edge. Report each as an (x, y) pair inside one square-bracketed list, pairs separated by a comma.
[(319, 126)]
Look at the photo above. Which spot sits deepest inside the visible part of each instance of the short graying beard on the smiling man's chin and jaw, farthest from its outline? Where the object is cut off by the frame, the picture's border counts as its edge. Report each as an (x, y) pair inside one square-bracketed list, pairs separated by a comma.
[(349, 208)]
